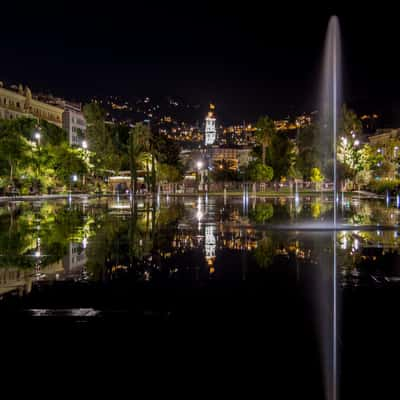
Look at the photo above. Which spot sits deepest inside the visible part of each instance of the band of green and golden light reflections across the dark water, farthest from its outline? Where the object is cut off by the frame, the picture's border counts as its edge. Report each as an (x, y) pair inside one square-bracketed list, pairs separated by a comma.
[(99, 238)]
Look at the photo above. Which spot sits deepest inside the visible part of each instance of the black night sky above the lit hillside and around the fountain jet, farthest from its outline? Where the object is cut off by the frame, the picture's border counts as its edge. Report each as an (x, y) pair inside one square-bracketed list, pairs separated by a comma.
[(248, 59)]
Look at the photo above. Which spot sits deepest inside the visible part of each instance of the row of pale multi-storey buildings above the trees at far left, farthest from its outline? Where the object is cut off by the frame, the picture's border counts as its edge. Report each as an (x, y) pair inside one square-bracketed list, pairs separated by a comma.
[(18, 102)]
